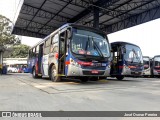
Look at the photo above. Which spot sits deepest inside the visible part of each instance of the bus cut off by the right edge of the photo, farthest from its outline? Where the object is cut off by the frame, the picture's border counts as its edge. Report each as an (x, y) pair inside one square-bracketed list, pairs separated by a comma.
[(156, 66)]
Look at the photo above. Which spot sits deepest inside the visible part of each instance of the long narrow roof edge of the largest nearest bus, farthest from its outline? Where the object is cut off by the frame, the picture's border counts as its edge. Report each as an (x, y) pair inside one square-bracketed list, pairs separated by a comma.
[(67, 25)]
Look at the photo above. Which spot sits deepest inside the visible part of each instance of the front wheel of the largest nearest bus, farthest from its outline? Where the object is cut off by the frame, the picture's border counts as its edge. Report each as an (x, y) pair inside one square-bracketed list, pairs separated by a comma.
[(53, 75)]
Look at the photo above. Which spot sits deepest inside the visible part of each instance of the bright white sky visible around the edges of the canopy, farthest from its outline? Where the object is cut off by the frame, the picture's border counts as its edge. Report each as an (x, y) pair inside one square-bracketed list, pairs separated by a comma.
[(146, 36)]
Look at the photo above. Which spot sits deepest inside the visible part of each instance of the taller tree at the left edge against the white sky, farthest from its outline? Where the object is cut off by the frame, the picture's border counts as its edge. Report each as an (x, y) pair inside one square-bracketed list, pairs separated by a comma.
[(6, 38)]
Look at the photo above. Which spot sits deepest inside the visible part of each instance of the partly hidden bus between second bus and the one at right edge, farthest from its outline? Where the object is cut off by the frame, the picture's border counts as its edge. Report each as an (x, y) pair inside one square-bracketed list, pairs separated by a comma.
[(147, 62)]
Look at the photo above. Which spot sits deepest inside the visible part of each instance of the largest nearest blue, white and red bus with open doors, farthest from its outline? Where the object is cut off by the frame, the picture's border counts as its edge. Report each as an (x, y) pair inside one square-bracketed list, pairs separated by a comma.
[(71, 51)]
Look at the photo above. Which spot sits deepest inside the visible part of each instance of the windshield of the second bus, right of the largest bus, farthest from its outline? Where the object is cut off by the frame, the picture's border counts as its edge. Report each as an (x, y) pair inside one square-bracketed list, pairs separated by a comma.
[(133, 54)]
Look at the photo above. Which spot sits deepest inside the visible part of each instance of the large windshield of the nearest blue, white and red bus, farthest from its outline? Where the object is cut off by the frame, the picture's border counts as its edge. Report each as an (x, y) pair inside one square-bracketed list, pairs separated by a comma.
[(89, 43)]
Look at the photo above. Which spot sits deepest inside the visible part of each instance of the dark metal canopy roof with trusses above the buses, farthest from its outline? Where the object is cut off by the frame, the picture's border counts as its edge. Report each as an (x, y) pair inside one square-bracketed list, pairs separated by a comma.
[(38, 18)]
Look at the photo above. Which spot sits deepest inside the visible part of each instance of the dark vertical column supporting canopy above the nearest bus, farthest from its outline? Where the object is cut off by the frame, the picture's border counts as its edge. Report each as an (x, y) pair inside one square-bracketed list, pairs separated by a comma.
[(96, 18)]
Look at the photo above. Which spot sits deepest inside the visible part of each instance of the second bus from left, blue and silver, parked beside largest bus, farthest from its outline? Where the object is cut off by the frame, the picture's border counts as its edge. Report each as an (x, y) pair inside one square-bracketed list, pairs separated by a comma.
[(126, 60)]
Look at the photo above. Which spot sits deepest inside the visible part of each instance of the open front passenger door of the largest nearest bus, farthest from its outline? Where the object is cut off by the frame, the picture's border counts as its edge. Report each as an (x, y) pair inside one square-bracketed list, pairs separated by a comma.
[(62, 53)]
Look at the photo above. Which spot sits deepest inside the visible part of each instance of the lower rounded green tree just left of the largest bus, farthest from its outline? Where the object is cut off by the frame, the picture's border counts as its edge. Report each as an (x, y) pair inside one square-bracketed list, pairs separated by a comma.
[(19, 51)]
